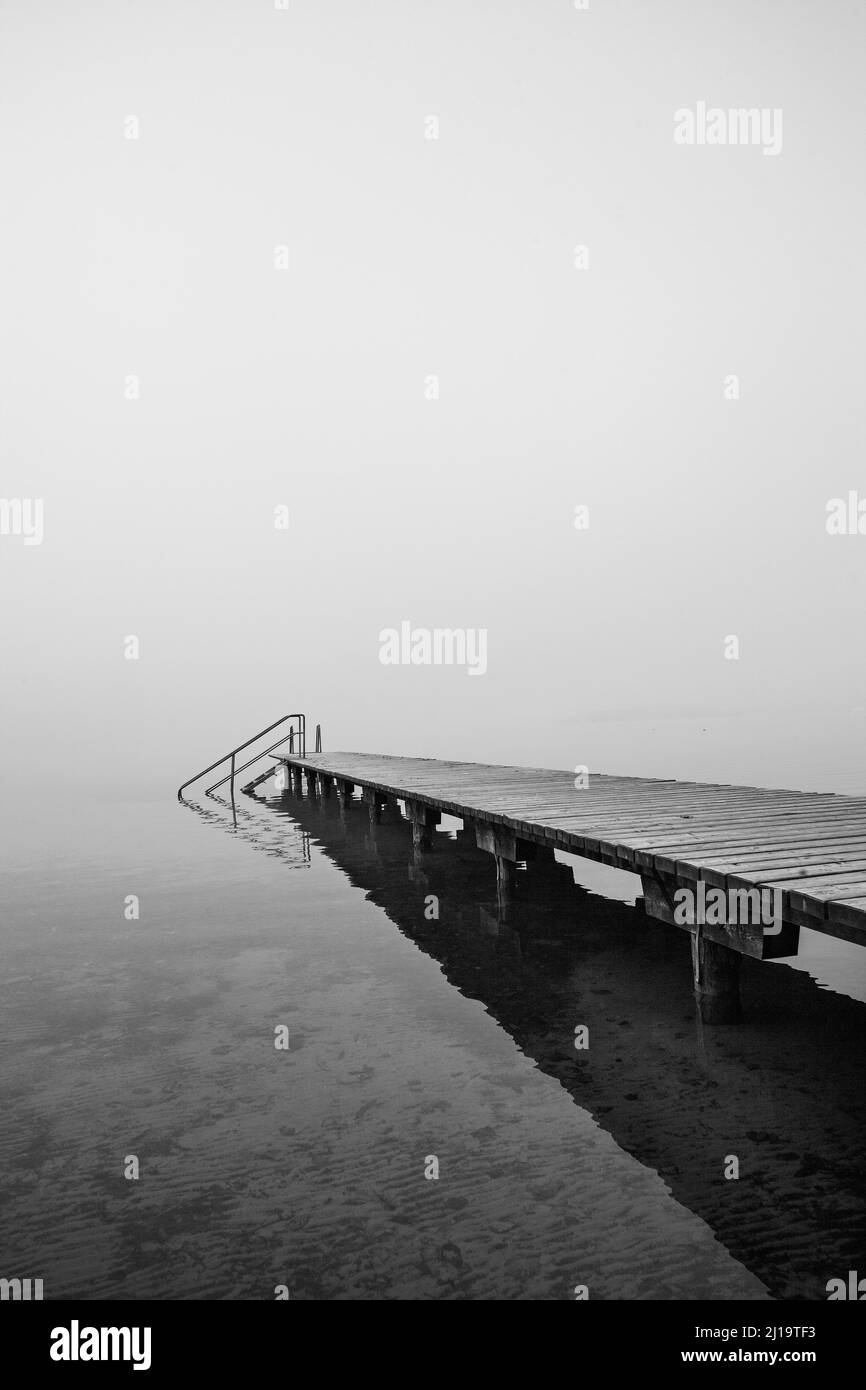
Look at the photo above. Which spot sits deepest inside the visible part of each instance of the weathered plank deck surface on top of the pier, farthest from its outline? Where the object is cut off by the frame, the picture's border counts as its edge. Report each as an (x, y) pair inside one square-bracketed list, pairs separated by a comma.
[(811, 846)]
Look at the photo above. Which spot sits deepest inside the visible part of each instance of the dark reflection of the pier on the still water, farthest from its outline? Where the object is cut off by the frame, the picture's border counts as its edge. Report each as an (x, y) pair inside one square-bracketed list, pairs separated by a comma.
[(782, 1093)]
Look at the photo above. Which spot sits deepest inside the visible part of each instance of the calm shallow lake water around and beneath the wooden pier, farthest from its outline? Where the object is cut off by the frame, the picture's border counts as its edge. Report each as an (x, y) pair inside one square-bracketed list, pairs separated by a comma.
[(411, 1040)]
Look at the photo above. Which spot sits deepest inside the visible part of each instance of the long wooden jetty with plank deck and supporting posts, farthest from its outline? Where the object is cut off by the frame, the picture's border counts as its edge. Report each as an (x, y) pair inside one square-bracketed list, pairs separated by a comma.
[(810, 847)]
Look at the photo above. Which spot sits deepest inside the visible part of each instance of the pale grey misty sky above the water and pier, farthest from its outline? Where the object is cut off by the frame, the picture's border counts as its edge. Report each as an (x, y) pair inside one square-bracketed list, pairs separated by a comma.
[(558, 387)]
